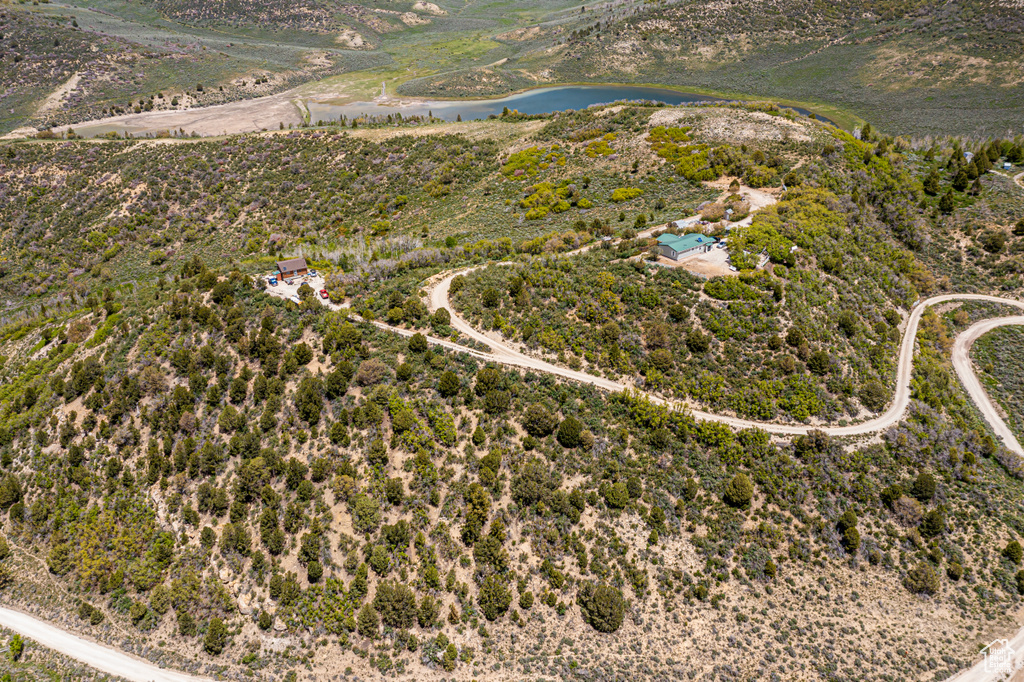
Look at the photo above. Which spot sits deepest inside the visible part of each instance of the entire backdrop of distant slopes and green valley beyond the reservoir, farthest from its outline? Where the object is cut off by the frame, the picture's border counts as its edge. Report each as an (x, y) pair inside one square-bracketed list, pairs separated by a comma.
[(924, 67)]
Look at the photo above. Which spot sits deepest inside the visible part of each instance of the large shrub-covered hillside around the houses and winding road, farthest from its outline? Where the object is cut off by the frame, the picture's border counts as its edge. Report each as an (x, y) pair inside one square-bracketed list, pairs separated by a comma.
[(228, 483)]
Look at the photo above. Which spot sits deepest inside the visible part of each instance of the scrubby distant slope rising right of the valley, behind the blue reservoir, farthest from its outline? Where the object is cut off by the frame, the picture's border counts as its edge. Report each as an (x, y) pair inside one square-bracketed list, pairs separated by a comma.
[(909, 68)]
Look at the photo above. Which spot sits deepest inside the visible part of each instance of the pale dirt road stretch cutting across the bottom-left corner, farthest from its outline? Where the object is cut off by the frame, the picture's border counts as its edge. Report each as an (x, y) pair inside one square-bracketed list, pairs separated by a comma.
[(94, 655)]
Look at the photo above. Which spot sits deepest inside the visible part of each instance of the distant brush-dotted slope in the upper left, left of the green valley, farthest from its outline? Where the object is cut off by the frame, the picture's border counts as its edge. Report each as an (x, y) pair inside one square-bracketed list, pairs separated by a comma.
[(66, 65)]
